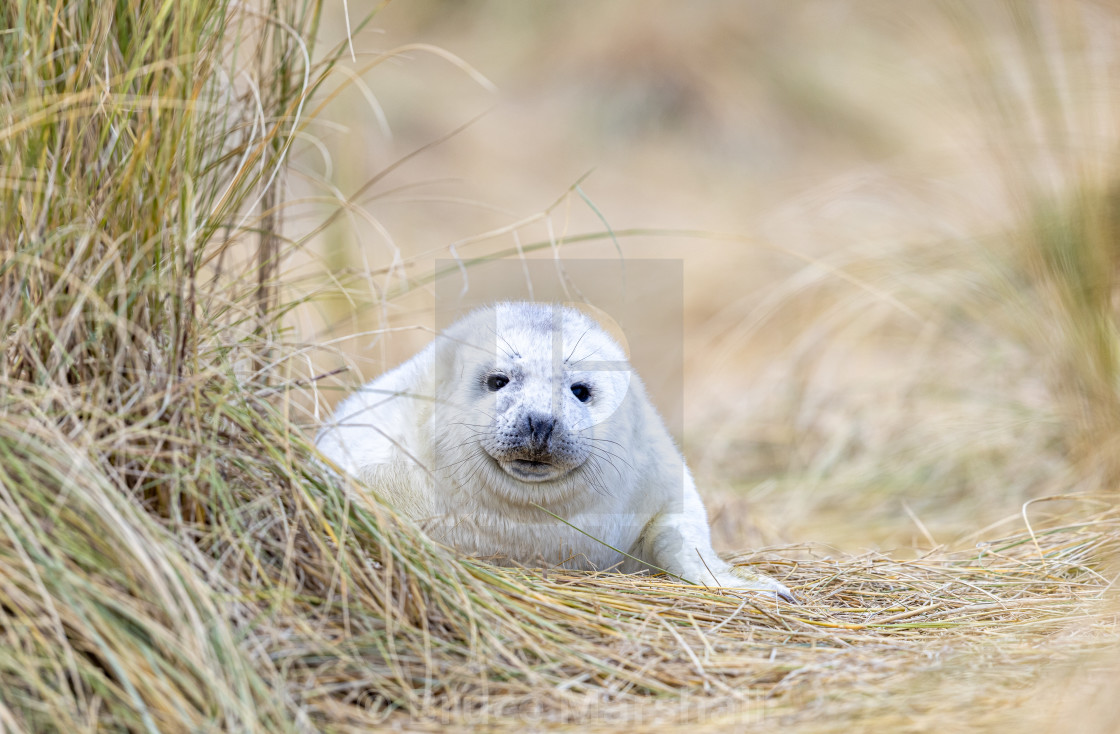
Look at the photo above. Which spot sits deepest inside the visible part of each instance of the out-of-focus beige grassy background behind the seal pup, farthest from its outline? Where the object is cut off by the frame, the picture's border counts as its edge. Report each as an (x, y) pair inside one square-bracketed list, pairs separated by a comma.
[(912, 332)]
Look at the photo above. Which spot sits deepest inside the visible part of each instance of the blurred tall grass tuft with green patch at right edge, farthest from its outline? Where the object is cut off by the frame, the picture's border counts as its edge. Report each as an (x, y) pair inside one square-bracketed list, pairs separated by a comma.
[(1050, 106)]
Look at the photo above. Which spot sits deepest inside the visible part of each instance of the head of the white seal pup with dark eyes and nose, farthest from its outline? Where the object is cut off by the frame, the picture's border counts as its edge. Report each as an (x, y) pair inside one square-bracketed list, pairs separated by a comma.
[(536, 391)]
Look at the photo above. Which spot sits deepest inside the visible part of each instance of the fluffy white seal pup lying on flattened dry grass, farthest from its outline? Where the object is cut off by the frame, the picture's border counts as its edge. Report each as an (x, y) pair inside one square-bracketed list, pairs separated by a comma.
[(522, 435)]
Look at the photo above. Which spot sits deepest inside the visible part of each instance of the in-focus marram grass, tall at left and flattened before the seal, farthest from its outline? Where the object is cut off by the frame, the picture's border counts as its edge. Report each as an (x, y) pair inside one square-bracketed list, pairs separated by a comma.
[(173, 559)]
